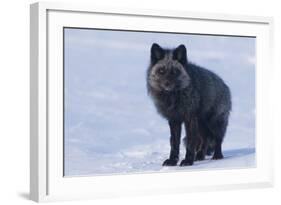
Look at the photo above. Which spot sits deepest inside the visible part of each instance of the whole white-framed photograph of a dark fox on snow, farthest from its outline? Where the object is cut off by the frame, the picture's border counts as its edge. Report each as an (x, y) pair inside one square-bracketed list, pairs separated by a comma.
[(130, 102)]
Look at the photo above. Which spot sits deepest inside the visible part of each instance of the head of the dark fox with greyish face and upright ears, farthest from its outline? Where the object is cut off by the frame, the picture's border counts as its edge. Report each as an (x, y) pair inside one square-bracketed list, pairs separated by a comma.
[(167, 71)]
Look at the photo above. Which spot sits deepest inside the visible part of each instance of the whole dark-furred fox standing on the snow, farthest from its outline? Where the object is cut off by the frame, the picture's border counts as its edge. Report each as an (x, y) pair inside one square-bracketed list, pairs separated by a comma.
[(190, 95)]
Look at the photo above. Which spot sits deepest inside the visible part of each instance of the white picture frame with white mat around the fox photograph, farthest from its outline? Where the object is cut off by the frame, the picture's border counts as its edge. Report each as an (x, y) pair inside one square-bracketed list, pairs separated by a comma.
[(46, 171)]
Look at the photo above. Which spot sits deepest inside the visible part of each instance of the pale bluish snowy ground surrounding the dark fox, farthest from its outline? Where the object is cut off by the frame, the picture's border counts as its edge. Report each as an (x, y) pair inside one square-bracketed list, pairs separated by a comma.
[(111, 125)]
